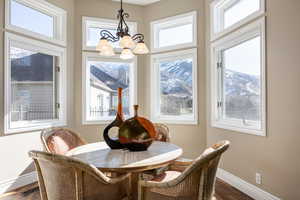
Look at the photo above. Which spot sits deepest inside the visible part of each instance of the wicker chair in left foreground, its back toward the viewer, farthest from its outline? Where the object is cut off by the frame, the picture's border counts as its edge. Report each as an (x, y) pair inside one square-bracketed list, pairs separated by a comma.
[(65, 178)]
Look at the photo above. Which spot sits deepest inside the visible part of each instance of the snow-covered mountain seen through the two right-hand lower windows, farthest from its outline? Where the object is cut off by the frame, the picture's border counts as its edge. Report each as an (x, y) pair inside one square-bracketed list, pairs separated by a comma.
[(176, 78)]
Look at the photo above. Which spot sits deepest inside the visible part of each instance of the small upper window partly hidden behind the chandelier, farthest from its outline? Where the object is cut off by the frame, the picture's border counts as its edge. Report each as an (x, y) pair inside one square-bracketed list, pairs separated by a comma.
[(93, 26)]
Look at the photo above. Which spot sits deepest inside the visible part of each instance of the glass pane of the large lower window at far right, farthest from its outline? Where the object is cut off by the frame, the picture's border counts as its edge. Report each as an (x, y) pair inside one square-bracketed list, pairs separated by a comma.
[(242, 82)]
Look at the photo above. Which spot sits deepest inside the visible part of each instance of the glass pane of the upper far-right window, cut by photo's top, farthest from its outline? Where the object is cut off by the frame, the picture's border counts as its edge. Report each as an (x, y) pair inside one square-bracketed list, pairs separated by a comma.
[(240, 10)]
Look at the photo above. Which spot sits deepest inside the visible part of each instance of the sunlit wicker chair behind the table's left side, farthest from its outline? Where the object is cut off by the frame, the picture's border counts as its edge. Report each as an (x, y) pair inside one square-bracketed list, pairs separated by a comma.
[(60, 141)]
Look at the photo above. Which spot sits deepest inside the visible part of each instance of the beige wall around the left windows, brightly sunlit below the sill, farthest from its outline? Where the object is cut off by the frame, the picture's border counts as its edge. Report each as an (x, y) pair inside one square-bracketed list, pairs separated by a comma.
[(14, 148)]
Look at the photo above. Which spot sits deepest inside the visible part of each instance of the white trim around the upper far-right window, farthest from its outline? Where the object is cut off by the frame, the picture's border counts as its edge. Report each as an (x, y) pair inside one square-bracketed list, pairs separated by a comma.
[(216, 20)]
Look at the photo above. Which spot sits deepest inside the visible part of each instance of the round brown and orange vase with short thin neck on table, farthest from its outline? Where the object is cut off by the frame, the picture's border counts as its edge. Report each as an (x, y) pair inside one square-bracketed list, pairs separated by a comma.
[(137, 133)]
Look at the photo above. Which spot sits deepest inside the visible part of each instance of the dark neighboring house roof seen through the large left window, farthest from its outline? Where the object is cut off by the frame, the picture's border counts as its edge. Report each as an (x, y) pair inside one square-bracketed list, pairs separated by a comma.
[(36, 67)]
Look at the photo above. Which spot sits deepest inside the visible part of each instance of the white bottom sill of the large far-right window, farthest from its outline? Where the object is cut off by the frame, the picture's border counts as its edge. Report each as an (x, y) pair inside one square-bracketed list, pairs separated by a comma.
[(239, 129)]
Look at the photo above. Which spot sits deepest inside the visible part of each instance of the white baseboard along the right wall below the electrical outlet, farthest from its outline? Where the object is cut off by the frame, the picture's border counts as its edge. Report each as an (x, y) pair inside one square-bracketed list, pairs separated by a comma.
[(245, 187)]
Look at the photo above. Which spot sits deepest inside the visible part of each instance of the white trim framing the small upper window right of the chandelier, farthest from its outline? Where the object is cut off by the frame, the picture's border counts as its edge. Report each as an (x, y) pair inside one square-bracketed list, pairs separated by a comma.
[(169, 23)]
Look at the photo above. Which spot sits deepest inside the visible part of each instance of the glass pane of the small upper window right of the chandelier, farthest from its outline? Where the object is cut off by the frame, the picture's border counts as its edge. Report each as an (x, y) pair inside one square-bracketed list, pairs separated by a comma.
[(176, 35)]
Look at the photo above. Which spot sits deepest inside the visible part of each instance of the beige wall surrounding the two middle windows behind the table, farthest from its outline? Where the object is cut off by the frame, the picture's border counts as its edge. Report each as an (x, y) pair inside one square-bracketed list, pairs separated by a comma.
[(191, 138)]
